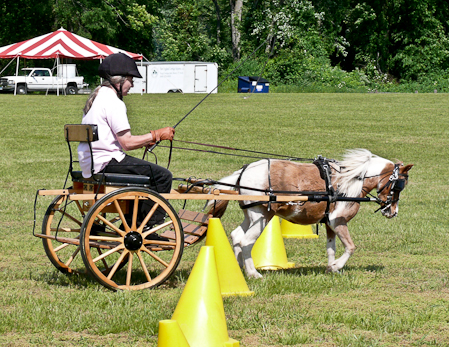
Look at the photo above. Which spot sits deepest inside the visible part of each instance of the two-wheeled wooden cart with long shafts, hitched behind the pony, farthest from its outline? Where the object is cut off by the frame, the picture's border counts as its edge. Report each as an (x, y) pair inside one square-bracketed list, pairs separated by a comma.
[(96, 225)]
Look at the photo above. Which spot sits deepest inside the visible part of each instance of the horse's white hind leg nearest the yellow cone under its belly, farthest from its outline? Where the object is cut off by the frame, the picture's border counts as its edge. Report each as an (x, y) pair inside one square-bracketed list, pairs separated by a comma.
[(259, 218)]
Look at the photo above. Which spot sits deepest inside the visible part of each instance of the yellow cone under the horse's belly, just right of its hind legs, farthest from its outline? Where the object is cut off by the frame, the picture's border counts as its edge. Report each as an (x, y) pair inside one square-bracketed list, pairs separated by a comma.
[(269, 250)]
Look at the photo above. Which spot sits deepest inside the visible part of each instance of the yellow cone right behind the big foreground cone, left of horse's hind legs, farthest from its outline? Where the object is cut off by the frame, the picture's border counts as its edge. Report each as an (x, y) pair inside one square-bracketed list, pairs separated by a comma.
[(230, 276)]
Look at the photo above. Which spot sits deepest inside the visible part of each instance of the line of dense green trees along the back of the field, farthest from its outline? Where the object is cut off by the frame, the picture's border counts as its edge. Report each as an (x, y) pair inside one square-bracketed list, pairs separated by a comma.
[(346, 43)]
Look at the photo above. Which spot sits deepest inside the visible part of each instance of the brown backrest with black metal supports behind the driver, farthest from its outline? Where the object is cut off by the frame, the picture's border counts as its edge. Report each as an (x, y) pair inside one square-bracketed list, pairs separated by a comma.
[(80, 133)]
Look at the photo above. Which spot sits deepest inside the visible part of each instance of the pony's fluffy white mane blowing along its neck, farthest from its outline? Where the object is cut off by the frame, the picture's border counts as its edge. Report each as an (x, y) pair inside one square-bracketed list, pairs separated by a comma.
[(353, 169)]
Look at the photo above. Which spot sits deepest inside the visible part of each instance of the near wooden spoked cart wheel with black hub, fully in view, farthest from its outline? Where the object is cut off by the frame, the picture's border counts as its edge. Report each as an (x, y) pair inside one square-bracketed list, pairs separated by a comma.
[(153, 253)]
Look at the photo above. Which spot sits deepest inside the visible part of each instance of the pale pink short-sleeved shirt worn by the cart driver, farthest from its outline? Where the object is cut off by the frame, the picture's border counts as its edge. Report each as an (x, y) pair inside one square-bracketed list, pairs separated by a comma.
[(109, 113)]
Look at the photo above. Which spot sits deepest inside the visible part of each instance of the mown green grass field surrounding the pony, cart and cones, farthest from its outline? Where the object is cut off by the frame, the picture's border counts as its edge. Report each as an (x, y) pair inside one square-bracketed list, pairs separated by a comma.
[(394, 291)]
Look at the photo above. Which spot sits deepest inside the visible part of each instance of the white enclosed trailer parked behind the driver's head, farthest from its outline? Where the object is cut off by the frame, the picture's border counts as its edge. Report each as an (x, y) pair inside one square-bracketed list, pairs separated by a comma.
[(176, 77)]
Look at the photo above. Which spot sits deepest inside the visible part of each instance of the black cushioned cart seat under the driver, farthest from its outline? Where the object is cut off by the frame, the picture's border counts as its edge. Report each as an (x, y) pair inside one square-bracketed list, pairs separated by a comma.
[(113, 179)]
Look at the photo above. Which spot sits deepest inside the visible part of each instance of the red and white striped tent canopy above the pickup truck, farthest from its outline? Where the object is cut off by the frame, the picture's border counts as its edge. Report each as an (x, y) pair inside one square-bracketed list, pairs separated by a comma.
[(63, 44)]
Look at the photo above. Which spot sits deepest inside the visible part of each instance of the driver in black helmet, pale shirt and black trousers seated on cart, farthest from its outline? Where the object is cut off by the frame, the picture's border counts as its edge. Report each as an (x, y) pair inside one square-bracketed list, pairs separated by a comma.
[(105, 108)]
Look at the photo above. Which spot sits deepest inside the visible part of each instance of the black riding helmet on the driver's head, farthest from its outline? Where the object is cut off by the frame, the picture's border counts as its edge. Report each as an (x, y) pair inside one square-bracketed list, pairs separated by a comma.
[(118, 64)]
